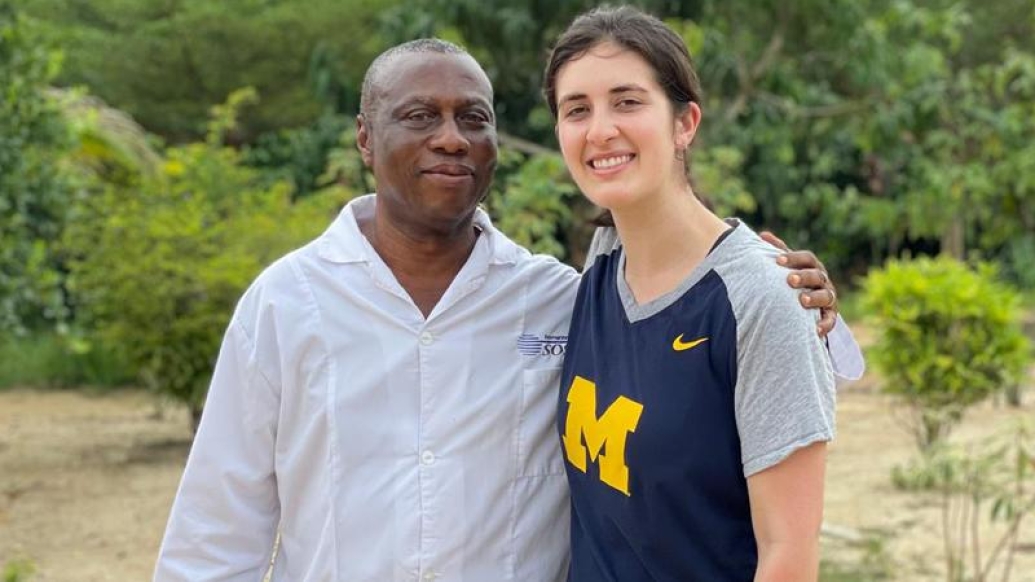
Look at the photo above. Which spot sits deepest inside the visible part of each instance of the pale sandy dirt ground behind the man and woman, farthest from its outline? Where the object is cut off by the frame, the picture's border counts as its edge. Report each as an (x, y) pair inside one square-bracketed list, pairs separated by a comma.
[(86, 483)]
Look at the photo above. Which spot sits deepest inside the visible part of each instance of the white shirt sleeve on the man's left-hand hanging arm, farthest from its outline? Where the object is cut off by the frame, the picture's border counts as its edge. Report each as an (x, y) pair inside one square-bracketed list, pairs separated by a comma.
[(225, 516)]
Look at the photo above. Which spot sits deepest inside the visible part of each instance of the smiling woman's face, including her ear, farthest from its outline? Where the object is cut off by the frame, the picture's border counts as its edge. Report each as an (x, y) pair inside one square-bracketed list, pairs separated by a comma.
[(617, 129)]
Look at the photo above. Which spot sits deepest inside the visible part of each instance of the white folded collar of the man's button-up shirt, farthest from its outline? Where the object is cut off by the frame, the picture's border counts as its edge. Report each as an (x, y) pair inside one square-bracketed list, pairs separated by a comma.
[(343, 242)]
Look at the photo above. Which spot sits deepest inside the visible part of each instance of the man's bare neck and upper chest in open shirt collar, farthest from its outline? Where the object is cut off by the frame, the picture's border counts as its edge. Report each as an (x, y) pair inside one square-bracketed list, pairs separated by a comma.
[(424, 264)]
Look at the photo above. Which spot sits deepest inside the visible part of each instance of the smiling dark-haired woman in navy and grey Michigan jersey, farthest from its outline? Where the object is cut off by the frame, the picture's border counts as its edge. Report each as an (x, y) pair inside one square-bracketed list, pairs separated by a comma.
[(697, 398)]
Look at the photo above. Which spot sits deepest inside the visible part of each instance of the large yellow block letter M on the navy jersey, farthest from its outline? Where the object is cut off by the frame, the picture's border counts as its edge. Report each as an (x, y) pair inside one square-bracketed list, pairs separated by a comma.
[(612, 429)]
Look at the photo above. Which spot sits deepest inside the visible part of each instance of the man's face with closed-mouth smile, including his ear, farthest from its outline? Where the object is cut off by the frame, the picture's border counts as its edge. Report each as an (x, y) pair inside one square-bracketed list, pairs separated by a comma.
[(431, 141)]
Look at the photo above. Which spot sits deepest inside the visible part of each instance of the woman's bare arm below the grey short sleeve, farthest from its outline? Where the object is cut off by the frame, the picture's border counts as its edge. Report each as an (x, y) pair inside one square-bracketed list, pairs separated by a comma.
[(787, 514)]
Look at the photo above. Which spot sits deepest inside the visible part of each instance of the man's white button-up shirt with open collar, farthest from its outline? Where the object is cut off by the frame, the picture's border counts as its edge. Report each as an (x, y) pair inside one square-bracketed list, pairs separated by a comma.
[(386, 448)]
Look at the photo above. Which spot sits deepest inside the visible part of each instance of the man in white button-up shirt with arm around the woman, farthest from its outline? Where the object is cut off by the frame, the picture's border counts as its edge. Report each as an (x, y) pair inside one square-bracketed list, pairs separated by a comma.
[(386, 396)]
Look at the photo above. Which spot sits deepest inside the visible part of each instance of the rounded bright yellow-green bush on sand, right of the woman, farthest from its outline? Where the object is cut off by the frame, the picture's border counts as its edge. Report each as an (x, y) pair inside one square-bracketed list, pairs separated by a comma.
[(950, 337)]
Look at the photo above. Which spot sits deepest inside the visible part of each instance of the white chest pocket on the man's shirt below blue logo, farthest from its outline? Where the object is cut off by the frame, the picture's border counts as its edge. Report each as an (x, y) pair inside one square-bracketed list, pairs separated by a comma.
[(539, 446)]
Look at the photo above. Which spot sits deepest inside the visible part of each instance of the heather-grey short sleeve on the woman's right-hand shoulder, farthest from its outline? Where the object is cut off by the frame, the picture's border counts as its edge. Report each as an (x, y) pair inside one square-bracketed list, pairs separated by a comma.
[(785, 394)]
